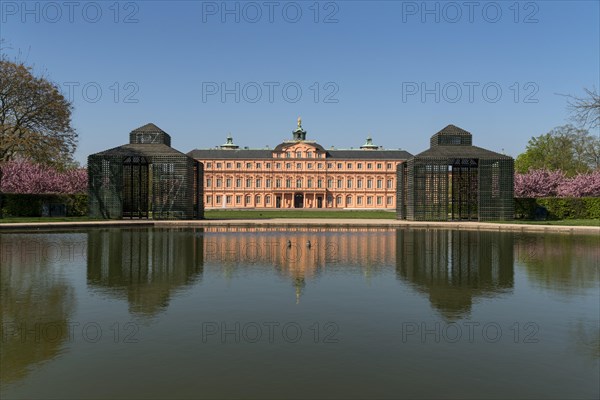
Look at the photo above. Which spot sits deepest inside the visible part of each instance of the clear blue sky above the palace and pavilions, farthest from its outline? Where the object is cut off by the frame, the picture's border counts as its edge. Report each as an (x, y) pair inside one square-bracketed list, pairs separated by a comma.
[(397, 70)]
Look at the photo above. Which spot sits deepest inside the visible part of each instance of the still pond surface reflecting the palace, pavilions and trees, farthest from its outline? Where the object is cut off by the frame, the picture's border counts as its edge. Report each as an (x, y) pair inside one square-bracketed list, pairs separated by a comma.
[(258, 312)]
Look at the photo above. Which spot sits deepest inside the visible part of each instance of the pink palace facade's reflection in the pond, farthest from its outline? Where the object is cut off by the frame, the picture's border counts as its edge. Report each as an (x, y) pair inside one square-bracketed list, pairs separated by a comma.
[(300, 252)]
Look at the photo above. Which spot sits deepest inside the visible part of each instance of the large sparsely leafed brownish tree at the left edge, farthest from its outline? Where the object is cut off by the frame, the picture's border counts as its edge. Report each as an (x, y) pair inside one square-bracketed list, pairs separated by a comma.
[(35, 118)]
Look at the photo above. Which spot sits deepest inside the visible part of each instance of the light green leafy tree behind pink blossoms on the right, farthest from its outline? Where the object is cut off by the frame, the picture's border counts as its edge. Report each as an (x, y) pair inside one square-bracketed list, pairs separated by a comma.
[(565, 148)]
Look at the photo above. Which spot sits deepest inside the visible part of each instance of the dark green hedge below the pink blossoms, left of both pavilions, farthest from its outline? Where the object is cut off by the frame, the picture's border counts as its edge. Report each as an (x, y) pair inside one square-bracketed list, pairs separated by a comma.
[(30, 205)]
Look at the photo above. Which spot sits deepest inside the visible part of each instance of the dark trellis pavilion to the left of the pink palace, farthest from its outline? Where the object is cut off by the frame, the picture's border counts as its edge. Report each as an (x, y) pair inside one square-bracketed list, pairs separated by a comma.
[(145, 179)]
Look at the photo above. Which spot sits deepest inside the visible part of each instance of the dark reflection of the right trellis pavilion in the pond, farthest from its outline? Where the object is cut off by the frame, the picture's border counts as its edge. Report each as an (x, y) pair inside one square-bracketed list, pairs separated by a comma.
[(453, 267)]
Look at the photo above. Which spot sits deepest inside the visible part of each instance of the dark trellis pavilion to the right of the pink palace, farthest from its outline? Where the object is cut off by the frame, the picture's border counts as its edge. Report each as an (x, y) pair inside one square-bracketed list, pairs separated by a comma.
[(455, 180)]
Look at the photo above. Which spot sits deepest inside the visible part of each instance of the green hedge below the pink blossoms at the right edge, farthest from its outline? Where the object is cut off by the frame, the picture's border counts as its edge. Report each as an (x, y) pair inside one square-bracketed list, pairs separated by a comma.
[(558, 208)]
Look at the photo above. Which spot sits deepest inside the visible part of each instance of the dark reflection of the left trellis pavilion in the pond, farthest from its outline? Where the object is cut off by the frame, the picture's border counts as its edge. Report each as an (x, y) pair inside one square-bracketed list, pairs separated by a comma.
[(144, 265)]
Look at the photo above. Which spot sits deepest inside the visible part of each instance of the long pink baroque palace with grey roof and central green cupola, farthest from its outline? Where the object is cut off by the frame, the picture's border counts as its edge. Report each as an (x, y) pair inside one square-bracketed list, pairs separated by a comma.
[(300, 173)]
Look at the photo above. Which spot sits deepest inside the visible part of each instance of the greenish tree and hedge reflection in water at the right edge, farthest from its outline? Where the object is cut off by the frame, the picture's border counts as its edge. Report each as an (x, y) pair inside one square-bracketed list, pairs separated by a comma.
[(563, 263)]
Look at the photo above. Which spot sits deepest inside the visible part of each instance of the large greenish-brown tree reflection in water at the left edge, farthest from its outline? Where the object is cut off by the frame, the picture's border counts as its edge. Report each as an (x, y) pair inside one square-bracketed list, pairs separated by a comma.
[(36, 303)]
